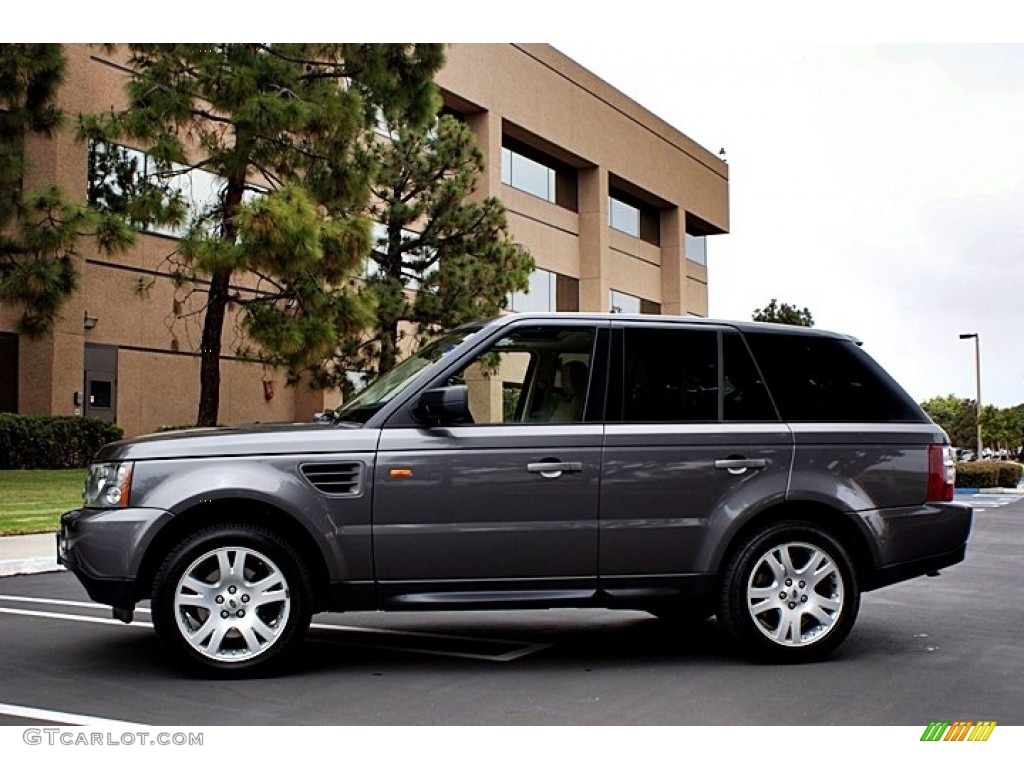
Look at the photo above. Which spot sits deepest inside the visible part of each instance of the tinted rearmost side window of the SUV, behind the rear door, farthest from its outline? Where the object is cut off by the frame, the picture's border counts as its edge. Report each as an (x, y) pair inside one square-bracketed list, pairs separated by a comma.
[(819, 379)]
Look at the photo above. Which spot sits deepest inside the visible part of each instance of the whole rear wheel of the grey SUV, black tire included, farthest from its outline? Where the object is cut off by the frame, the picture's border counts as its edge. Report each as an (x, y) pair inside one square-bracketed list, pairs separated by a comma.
[(789, 594)]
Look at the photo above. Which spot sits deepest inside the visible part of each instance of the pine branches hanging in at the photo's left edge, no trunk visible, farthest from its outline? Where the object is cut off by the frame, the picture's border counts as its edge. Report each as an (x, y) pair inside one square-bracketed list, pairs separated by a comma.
[(40, 230)]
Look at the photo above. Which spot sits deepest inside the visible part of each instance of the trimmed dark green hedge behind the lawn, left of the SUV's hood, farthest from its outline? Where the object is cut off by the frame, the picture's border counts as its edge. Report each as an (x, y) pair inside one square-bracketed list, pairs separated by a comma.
[(53, 442)]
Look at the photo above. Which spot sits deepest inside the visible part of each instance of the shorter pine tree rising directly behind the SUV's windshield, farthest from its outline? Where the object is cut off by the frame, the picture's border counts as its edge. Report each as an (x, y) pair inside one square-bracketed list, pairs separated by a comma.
[(442, 258)]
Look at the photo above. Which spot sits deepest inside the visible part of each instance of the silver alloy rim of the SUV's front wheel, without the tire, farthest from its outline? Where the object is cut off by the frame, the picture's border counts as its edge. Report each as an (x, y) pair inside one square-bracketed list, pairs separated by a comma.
[(232, 605)]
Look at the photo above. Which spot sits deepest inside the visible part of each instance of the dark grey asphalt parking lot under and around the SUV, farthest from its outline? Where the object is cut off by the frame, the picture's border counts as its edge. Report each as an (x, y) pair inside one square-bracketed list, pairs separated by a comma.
[(931, 649)]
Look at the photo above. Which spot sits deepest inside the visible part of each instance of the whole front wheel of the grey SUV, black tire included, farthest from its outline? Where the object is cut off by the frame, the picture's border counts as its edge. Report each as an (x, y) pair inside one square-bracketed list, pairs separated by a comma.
[(234, 624)]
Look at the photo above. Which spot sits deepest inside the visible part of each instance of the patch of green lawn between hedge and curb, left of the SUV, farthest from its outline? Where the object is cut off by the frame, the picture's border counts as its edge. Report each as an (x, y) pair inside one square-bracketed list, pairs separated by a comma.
[(33, 500)]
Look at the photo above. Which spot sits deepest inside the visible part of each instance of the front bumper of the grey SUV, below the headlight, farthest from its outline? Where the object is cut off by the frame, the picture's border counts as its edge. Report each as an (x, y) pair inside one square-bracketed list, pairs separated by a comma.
[(104, 549)]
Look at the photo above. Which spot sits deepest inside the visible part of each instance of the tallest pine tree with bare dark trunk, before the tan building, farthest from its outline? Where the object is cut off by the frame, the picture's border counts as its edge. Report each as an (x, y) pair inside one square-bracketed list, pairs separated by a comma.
[(280, 127)]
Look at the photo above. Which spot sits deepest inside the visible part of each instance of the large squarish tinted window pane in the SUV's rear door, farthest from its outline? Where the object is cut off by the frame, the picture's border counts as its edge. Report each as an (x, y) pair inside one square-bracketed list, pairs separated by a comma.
[(670, 375)]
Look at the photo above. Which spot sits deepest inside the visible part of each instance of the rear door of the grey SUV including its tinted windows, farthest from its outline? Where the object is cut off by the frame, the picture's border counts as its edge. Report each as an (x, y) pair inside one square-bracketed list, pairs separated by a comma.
[(693, 442)]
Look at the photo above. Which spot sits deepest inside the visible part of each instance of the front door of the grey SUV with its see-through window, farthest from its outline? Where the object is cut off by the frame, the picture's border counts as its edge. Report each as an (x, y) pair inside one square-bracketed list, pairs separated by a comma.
[(505, 508)]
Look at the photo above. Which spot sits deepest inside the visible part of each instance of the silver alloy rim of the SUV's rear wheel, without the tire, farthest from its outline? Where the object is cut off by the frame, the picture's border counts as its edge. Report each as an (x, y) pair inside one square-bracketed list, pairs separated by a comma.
[(795, 594)]
